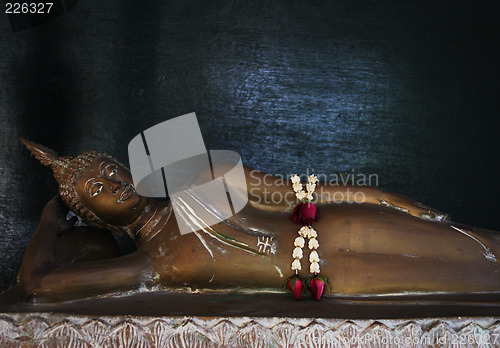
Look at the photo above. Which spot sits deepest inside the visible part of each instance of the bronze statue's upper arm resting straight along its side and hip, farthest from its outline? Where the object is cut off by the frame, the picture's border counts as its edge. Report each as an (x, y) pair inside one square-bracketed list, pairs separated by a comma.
[(274, 193)]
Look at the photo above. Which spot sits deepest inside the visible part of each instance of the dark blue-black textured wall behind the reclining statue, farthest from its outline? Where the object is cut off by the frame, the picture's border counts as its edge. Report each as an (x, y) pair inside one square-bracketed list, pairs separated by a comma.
[(407, 90)]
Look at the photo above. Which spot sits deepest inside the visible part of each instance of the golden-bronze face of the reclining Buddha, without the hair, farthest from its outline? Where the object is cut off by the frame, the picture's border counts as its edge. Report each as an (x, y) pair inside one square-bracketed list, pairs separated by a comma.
[(106, 188)]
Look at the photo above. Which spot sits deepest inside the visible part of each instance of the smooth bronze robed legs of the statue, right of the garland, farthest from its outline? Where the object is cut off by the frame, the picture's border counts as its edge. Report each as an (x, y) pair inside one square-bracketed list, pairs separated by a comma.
[(366, 249)]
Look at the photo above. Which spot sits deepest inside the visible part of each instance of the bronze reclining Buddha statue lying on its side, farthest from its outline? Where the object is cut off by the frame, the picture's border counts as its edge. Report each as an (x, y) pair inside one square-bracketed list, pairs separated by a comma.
[(385, 244)]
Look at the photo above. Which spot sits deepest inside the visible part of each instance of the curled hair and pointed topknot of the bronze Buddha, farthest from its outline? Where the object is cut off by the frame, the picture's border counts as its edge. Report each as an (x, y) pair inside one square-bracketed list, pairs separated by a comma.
[(66, 170)]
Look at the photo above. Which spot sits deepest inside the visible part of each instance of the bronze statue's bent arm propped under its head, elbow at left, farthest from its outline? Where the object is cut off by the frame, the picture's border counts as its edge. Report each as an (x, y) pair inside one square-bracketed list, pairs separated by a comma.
[(41, 274)]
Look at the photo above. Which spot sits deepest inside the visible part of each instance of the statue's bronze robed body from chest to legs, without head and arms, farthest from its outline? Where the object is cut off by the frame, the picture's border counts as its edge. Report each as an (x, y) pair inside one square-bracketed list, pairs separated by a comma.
[(364, 249)]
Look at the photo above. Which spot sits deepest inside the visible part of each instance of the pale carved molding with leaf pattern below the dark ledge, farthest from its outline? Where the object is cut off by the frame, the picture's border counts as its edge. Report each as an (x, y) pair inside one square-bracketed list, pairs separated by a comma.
[(52, 330)]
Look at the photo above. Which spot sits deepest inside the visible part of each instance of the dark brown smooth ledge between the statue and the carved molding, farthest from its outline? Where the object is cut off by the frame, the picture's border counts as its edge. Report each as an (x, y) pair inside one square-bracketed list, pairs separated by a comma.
[(265, 305)]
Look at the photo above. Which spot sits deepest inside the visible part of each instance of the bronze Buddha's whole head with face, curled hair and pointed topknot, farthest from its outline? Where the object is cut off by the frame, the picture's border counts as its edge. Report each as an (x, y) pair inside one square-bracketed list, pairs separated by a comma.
[(94, 186)]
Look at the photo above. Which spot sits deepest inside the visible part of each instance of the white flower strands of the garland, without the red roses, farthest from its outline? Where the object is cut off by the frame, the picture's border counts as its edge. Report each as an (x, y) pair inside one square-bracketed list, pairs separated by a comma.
[(306, 231)]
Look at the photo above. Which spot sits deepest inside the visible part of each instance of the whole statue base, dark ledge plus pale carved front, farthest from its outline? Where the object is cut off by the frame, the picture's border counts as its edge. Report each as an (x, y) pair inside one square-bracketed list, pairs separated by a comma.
[(161, 319)]
